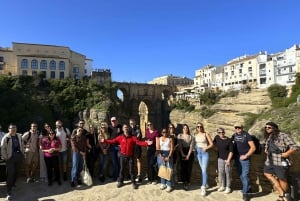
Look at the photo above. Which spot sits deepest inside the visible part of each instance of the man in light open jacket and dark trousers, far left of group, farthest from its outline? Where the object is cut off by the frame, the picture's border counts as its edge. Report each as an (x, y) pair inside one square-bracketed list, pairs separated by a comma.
[(12, 152)]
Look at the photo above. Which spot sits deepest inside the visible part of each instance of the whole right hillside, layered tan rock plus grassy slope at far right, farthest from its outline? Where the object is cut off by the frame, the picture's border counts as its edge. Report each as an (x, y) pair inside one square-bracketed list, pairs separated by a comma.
[(237, 109)]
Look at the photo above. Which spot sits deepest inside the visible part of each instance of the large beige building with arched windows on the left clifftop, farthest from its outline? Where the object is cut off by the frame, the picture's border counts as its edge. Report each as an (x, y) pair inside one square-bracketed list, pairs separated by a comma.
[(53, 62)]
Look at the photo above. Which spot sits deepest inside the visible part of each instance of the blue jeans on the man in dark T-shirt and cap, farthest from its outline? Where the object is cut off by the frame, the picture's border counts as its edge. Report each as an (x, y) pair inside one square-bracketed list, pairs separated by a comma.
[(243, 167)]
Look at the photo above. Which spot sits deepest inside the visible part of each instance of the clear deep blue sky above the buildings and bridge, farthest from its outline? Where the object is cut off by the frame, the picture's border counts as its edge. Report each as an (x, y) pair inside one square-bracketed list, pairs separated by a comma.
[(139, 40)]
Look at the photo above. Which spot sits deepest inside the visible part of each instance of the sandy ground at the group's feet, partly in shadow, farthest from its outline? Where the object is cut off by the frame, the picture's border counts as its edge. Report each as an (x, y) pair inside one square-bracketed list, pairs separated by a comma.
[(108, 191)]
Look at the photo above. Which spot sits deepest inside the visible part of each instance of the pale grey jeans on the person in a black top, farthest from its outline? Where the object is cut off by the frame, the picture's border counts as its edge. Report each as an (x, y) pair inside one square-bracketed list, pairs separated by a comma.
[(224, 173)]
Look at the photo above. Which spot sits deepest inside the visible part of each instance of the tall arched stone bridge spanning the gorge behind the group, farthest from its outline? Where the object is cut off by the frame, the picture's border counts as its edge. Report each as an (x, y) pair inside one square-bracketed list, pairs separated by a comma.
[(147, 102)]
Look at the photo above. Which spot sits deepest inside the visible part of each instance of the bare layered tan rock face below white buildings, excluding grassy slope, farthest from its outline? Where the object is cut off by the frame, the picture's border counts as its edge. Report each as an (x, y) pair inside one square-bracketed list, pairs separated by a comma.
[(228, 111)]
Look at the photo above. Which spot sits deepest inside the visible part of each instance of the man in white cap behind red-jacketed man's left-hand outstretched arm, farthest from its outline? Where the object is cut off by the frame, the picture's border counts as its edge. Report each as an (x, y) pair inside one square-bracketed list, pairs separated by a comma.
[(114, 130)]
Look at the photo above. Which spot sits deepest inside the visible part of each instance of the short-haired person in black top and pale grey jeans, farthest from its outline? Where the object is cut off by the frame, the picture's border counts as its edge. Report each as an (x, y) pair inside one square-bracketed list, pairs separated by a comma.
[(224, 149)]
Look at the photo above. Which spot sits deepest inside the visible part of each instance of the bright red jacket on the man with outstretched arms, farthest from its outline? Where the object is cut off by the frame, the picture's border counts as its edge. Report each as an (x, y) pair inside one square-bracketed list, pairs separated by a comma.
[(126, 143)]
